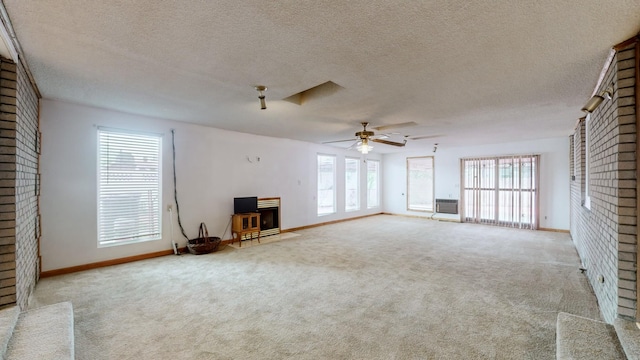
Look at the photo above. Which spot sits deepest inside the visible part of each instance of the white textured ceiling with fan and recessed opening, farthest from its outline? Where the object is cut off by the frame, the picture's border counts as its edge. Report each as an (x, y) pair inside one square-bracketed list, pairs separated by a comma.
[(471, 72)]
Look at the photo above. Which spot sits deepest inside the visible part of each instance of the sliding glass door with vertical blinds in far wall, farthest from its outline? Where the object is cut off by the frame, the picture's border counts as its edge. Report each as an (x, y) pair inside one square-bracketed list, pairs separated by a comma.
[(501, 190)]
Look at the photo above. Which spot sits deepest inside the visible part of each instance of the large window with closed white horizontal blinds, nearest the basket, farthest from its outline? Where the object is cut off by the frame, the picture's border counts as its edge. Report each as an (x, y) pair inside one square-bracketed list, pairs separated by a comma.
[(129, 187)]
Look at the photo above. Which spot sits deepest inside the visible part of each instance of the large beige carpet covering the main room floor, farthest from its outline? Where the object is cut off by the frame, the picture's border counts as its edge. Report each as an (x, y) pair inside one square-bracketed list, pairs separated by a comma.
[(382, 287)]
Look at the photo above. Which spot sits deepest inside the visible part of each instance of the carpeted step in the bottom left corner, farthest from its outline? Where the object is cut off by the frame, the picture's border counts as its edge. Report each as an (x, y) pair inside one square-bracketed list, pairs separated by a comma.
[(44, 333)]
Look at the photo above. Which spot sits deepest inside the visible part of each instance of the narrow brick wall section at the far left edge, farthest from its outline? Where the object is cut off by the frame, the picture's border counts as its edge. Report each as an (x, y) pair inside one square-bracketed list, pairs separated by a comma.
[(19, 190)]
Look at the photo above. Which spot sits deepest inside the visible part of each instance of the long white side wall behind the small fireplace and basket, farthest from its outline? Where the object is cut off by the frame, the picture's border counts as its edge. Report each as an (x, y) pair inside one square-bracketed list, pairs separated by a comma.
[(212, 169)]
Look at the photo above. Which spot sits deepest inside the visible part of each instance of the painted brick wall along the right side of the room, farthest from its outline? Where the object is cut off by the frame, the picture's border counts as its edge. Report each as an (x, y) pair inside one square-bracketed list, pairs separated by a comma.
[(605, 233)]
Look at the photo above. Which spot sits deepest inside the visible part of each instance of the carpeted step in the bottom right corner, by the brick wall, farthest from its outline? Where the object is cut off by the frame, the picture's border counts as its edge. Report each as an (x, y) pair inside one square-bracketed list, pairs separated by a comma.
[(580, 338)]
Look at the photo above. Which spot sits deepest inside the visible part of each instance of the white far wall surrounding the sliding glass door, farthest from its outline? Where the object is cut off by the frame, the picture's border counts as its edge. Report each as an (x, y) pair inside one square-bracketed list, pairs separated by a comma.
[(554, 176)]
